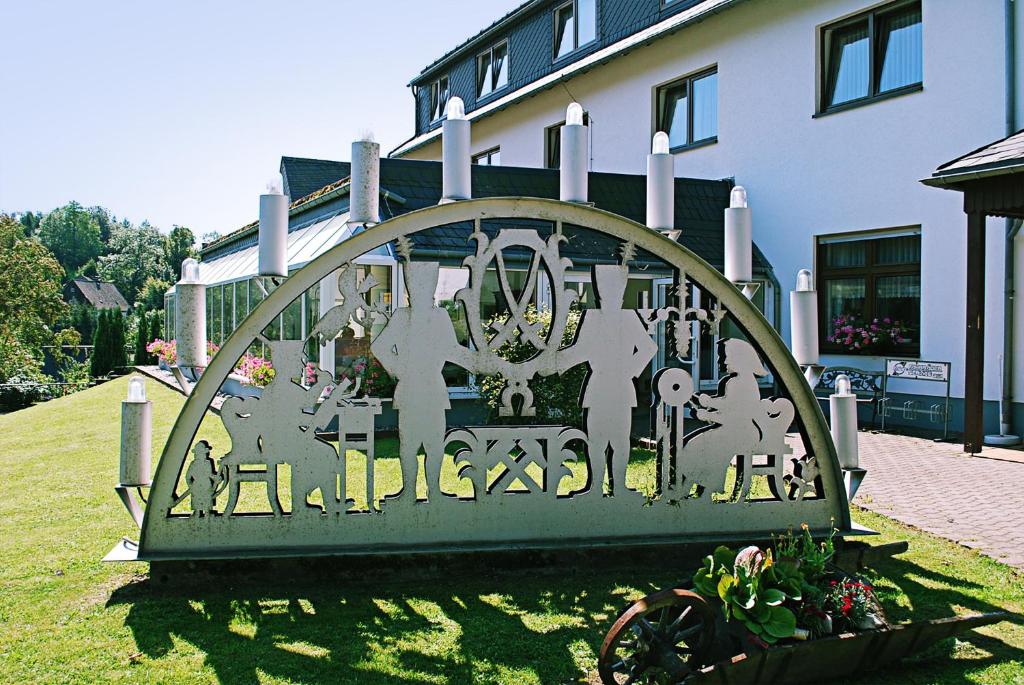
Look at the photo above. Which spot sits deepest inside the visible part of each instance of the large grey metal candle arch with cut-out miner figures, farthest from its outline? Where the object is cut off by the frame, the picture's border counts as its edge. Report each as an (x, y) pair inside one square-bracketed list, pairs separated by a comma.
[(281, 427)]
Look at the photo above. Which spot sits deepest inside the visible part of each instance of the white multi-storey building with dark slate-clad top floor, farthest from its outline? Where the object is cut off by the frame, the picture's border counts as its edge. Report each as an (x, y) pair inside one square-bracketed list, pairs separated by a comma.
[(830, 113)]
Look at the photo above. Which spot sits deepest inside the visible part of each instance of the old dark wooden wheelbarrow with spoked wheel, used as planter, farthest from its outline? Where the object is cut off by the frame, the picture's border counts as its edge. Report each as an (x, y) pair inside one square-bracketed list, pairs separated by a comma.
[(676, 636)]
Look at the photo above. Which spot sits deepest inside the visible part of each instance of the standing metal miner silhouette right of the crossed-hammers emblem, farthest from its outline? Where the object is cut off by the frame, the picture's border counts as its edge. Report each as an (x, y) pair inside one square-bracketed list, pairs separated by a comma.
[(617, 347)]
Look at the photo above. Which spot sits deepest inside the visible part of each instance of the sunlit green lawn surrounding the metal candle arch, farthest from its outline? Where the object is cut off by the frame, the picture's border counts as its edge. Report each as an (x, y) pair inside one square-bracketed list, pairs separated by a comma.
[(66, 617)]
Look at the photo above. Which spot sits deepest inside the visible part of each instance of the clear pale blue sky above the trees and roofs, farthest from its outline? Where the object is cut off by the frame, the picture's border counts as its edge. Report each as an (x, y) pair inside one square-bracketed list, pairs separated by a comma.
[(180, 112)]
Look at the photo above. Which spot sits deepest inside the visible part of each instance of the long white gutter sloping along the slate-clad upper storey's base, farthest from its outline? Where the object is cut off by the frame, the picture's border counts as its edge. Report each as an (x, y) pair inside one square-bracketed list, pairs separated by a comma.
[(674, 23)]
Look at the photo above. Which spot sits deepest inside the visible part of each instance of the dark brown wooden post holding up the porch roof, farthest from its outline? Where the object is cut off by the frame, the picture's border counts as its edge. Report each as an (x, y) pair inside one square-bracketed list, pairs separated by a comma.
[(974, 363)]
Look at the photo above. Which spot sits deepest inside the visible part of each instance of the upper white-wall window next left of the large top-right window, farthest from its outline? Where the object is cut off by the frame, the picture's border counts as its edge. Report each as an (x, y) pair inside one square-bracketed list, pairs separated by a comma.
[(688, 110)]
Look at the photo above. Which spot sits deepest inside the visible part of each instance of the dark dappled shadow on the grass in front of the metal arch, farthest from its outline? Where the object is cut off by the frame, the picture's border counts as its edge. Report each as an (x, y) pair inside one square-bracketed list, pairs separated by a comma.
[(522, 627)]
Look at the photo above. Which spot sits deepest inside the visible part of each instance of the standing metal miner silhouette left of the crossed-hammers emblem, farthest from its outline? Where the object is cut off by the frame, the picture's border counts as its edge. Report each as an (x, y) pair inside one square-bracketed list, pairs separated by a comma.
[(414, 348)]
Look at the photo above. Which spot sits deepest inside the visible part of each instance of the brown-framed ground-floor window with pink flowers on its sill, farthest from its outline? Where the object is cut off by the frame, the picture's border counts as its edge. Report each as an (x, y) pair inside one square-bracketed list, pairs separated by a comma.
[(870, 293)]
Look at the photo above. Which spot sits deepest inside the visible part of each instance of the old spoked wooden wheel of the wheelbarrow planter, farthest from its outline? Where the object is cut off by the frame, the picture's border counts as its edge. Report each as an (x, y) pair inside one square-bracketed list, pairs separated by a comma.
[(660, 639)]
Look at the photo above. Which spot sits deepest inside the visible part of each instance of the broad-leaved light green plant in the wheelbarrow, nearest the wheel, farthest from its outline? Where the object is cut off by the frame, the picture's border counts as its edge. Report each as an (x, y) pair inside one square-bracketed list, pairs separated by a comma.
[(752, 590)]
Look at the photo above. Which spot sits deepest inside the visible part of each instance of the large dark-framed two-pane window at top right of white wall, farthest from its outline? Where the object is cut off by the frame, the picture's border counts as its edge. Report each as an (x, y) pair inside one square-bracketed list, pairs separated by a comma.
[(872, 56)]
